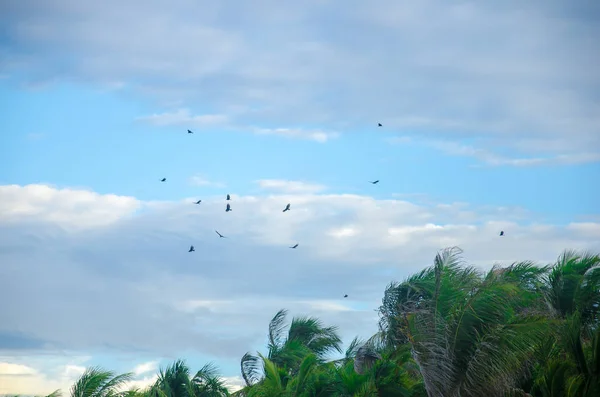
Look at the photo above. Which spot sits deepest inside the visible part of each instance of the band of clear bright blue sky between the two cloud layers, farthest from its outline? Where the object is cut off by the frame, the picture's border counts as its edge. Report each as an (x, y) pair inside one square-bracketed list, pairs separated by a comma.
[(53, 128)]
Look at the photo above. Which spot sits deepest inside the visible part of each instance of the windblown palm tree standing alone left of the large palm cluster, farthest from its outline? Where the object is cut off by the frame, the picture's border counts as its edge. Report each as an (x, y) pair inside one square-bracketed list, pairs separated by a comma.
[(305, 336)]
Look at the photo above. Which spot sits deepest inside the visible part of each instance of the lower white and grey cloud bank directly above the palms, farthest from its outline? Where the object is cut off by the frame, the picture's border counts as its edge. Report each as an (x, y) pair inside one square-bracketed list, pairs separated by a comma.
[(135, 270)]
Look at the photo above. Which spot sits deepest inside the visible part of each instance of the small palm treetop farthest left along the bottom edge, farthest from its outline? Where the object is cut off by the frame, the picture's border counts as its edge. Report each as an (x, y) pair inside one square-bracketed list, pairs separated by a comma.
[(96, 382)]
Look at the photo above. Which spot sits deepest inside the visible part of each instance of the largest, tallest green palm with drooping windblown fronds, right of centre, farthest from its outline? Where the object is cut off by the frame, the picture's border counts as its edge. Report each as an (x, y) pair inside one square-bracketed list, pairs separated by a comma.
[(467, 330)]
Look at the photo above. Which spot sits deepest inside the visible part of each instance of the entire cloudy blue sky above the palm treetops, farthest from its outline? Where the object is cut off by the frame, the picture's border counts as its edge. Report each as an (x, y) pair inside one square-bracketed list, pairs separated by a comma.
[(490, 116)]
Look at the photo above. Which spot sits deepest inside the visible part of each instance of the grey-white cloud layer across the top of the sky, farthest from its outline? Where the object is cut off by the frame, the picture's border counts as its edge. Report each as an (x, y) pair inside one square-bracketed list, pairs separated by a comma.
[(531, 91)]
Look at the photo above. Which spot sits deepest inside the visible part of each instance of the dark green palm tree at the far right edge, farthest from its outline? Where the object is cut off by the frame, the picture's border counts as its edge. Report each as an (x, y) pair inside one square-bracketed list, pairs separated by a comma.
[(569, 363)]
